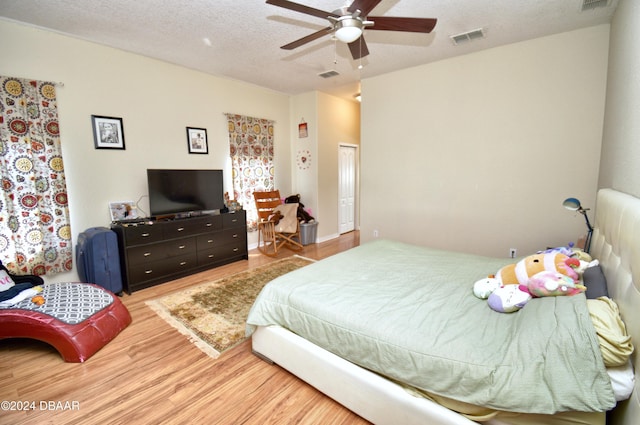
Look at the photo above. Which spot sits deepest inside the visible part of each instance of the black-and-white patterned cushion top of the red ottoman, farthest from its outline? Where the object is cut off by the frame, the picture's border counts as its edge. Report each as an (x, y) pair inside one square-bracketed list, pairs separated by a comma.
[(69, 302)]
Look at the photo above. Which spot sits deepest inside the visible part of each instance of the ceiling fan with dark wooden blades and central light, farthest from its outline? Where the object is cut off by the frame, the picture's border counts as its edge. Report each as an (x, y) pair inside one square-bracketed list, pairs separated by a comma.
[(348, 22)]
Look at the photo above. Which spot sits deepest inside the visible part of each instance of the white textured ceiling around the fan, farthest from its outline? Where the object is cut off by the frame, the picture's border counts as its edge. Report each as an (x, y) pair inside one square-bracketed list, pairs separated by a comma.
[(245, 35)]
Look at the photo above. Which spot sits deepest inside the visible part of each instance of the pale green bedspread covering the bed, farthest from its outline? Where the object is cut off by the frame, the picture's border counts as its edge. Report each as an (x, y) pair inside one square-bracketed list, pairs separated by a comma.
[(409, 313)]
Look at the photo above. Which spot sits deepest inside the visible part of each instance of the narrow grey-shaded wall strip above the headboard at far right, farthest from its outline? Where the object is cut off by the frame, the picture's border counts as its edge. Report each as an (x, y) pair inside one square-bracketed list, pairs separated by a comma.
[(620, 165)]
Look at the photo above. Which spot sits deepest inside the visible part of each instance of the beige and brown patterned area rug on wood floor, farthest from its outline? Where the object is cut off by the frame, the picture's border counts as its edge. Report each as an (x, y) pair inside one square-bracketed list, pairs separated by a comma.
[(213, 314)]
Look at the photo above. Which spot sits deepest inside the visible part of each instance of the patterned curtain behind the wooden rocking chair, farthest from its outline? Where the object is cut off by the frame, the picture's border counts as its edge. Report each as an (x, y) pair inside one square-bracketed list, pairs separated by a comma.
[(251, 150)]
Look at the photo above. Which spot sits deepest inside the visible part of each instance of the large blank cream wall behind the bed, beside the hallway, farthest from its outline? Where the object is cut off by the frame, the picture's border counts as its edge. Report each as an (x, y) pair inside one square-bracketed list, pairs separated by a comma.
[(477, 153)]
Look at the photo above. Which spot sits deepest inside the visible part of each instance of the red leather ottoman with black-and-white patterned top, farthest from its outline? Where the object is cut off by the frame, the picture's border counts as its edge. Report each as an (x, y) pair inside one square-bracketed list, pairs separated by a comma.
[(77, 319)]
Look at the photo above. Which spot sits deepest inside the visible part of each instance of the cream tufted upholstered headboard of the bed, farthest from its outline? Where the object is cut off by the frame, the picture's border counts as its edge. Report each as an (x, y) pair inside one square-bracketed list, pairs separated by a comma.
[(616, 244)]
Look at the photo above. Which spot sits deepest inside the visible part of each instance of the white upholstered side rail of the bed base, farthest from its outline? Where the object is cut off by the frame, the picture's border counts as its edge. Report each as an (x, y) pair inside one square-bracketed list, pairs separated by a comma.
[(374, 398)]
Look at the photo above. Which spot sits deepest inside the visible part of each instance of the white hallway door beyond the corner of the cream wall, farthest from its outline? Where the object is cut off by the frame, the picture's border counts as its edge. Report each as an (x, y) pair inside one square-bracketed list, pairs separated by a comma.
[(347, 187)]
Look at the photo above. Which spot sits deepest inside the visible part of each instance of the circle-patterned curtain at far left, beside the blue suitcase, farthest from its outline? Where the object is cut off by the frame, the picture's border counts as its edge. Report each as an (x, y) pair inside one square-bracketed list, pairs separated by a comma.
[(35, 234)]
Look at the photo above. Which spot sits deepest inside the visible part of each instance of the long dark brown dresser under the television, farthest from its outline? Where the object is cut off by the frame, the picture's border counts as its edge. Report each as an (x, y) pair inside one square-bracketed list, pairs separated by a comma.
[(157, 251)]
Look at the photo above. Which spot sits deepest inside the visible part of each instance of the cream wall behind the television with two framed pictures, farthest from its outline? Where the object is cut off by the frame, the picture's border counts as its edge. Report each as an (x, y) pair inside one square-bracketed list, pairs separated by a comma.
[(156, 100)]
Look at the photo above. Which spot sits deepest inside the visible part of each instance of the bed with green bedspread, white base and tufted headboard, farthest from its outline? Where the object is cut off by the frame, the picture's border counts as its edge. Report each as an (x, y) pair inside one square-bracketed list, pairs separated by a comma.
[(436, 378)]
